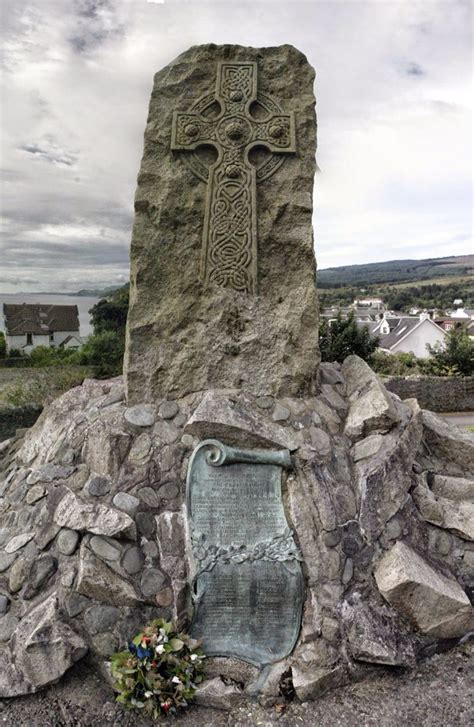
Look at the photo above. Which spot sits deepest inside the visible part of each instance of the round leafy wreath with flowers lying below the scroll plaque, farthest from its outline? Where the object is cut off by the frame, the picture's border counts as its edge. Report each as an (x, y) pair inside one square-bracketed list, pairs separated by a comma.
[(159, 670)]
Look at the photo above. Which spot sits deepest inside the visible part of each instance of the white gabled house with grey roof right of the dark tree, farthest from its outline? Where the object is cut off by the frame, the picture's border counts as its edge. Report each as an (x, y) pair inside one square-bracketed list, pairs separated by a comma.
[(409, 335)]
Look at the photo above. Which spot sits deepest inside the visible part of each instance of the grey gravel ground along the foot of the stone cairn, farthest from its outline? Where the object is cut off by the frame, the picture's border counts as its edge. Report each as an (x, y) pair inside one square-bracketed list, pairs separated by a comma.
[(438, 693)]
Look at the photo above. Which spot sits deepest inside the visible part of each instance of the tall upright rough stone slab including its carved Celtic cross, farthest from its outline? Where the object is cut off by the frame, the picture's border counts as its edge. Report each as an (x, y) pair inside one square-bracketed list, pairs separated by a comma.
[(222, 287)]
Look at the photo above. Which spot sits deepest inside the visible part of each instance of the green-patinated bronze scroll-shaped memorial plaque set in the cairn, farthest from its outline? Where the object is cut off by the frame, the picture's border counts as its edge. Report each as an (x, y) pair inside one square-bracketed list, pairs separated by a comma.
[(248, 581)]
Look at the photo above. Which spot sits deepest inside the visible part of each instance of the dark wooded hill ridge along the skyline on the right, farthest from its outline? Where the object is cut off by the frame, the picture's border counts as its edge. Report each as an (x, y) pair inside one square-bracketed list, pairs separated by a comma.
[(395, 271)]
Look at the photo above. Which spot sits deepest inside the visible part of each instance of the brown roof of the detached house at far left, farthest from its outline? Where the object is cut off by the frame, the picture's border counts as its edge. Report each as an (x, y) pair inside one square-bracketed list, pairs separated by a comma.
[(39, 318)]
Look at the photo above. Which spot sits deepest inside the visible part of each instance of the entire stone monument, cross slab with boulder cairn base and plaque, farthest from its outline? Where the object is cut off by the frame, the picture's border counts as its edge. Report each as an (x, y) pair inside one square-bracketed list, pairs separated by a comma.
[(308, 535)]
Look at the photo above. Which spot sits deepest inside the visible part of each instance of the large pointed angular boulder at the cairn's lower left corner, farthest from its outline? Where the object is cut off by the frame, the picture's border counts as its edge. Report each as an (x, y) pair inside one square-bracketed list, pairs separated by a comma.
[(45, 646)]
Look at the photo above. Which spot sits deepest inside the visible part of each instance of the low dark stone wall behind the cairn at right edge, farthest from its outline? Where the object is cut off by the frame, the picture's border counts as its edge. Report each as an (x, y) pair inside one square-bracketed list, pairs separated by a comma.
[(435, 393)]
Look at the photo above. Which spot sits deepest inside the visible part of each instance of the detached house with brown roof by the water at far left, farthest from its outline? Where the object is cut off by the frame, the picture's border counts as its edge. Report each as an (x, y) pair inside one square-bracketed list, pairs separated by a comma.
[(29, 325)]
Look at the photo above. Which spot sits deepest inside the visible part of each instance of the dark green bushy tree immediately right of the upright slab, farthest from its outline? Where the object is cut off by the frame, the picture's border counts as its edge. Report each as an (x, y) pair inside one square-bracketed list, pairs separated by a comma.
[(341, 337)]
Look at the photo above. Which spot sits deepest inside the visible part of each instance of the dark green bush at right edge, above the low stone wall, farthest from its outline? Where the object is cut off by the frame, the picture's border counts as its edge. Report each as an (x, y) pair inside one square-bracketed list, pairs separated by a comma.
[(454, 356)]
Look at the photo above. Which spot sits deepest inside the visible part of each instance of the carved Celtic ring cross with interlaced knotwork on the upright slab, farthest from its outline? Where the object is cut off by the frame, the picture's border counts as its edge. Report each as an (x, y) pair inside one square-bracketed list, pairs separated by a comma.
[(229, 250)]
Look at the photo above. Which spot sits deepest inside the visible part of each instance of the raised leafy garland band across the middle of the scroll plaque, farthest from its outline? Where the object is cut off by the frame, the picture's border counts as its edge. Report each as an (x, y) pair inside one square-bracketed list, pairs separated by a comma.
[(280, 548)]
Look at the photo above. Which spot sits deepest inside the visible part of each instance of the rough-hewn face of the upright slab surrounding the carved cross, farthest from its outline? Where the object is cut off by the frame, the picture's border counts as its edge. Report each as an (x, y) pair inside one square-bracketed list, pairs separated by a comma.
[(172, 317)]
